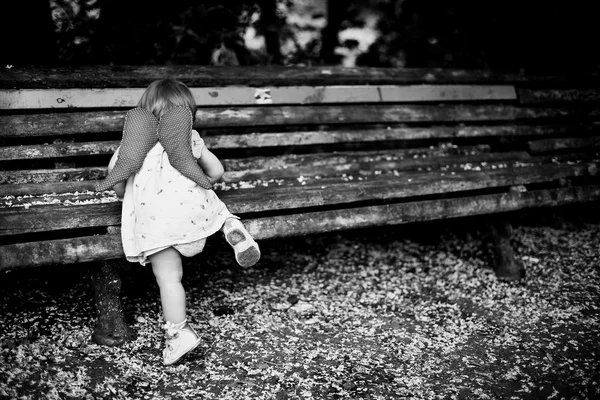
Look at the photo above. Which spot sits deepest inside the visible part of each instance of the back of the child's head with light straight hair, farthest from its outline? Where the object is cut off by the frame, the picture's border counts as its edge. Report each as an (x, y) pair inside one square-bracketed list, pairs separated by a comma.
[(164, 94)]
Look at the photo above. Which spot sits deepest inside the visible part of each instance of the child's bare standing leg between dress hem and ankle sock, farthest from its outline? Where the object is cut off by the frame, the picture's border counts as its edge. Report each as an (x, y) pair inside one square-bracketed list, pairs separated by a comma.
[(168, 271)]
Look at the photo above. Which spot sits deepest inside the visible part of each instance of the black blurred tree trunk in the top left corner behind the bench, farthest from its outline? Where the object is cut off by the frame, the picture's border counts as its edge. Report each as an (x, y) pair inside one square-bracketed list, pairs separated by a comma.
[(27, 31)]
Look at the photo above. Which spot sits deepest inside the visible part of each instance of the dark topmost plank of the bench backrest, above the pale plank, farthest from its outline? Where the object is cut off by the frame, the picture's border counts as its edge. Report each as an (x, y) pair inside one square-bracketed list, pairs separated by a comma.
[(100, 76)]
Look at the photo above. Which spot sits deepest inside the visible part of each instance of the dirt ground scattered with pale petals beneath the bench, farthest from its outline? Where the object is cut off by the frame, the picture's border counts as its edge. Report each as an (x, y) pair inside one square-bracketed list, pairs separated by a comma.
[(411, 312)]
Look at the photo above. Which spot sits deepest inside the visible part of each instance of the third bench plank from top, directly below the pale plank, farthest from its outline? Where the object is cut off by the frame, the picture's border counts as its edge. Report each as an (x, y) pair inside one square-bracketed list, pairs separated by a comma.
[(82, 123)]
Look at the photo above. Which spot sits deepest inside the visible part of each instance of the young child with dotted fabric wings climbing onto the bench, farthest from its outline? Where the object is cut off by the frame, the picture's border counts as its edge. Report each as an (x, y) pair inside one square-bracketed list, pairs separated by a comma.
[(164, 173)]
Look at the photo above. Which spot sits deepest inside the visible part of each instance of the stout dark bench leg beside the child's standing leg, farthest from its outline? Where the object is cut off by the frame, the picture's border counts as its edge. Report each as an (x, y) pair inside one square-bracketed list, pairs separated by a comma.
[(111, 328)]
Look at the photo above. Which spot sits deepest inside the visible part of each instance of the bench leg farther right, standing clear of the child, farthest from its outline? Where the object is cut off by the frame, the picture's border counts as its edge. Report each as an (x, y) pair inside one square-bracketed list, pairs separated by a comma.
[(507, 267)]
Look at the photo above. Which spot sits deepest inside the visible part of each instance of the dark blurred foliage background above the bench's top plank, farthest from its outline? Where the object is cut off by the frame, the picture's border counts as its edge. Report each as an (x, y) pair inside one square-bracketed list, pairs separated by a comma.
[(508, 35)]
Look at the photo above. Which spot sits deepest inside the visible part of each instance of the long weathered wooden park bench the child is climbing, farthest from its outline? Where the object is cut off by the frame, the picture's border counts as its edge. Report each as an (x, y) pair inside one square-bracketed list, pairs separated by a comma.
[(306, 150)]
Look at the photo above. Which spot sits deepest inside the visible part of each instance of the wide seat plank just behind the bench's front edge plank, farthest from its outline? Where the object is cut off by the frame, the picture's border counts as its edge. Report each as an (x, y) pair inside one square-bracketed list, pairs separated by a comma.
[(295, 194)]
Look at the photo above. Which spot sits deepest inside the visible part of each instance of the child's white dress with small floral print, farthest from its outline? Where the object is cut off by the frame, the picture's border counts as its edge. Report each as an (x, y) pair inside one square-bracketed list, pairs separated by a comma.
[(162, 208)]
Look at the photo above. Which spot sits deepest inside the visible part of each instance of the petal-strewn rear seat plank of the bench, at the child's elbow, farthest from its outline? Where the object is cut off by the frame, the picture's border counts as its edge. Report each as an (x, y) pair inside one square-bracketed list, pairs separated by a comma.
[(293, 166)]
